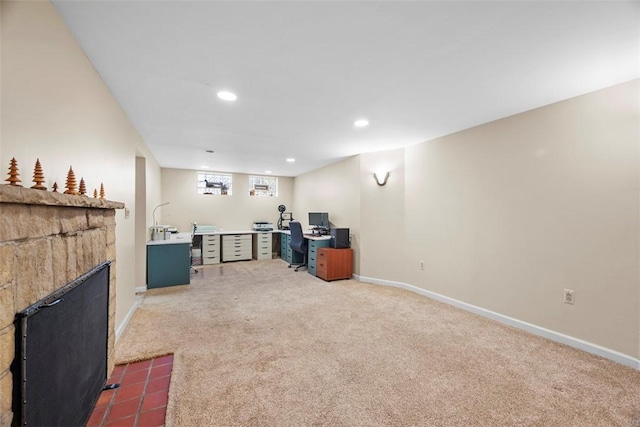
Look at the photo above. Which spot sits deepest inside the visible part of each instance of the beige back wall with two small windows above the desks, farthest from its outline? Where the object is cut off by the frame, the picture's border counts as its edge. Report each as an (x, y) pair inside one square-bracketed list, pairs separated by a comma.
[(237, 211)]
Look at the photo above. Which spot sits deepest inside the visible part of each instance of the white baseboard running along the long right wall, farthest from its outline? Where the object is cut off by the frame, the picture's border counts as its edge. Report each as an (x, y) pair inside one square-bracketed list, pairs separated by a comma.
[(537, 330)]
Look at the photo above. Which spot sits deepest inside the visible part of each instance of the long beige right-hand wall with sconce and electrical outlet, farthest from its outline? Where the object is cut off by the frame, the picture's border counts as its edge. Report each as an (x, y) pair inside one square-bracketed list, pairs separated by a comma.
[(507, 215)]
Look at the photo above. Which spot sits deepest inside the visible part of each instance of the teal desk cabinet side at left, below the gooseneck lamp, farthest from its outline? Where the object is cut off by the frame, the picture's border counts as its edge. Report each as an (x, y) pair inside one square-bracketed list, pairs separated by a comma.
[(168, 265)]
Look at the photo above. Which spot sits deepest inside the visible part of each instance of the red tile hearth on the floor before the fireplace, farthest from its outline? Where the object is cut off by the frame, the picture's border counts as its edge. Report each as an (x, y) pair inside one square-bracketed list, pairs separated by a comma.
[(141, 399)]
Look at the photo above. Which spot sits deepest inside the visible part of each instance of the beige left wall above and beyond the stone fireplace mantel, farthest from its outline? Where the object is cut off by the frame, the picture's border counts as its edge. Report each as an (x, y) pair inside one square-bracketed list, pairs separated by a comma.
[(55, 107)]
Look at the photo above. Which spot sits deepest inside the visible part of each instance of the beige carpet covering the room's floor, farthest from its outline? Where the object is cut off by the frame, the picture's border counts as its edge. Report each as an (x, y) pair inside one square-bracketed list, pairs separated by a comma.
[(257, 344)]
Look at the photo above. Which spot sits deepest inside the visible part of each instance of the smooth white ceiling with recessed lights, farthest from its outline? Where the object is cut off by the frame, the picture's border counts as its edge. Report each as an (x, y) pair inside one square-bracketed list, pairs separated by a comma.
[(304, 71)]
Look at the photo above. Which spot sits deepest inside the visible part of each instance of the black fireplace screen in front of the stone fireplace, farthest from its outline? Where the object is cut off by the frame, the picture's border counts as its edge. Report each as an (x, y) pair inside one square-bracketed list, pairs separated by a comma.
[(61, 353)]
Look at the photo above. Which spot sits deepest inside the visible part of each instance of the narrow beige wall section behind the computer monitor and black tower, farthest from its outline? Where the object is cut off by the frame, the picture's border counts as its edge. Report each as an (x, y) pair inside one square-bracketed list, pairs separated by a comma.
[(334, 189)]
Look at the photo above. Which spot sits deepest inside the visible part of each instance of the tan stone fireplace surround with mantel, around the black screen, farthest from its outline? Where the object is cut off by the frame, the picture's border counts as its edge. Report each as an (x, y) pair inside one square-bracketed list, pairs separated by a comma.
[(46, 241)]
